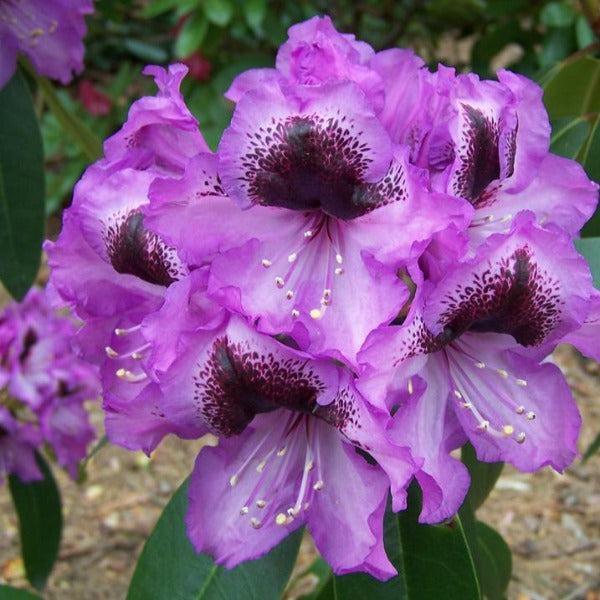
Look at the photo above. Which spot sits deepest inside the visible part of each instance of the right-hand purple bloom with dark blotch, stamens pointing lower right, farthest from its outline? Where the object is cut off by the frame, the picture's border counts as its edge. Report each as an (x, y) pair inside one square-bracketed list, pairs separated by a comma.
[(473, 343)]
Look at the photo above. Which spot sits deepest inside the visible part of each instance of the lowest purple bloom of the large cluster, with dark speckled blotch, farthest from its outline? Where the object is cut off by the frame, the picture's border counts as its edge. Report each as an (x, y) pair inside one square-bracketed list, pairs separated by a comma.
[(289, 428)]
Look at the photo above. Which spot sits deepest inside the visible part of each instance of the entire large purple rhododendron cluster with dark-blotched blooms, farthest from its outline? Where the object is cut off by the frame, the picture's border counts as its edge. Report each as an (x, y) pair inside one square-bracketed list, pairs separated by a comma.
[(367, 273)]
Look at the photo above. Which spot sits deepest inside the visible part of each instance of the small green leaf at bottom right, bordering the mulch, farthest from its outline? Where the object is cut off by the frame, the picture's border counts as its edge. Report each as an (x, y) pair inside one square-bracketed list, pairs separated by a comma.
[(496, 562)]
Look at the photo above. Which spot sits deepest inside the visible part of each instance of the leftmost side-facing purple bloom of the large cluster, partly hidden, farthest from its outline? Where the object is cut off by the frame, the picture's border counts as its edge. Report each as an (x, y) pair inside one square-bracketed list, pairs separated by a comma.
[(110, 268)]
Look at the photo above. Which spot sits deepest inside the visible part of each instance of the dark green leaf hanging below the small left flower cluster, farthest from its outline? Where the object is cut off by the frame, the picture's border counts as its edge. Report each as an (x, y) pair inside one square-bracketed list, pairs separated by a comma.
[(40, 523)]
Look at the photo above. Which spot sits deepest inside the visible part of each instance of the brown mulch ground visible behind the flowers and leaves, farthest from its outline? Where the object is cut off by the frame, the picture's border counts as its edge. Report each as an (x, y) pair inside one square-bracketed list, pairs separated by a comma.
[(551, 521)]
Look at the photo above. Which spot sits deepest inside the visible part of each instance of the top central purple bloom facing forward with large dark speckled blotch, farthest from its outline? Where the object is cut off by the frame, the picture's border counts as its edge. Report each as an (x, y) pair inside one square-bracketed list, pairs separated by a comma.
[(321, 215)]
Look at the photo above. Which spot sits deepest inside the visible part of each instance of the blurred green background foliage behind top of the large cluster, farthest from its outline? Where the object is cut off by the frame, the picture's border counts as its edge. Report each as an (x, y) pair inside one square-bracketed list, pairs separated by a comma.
[(553, 41)]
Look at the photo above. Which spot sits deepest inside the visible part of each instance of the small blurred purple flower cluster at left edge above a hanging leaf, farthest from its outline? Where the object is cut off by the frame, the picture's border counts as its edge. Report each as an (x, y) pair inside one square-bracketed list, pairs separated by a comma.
[(43, 387)]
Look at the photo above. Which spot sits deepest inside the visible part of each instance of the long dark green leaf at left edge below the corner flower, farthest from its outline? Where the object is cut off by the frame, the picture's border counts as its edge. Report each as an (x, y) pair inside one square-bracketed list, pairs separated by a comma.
[(21, 188)]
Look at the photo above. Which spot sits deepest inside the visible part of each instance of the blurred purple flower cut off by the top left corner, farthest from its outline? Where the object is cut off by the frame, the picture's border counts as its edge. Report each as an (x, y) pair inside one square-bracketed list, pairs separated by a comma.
[(49, 32)]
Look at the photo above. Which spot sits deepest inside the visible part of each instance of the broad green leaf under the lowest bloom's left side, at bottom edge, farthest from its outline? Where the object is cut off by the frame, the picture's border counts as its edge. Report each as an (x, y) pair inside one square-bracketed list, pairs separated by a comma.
[(170, 568)]
